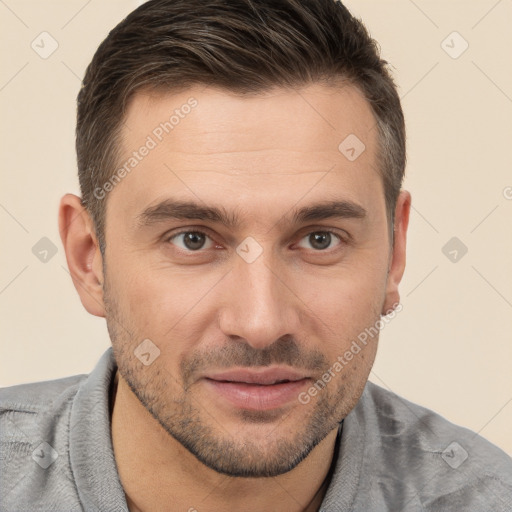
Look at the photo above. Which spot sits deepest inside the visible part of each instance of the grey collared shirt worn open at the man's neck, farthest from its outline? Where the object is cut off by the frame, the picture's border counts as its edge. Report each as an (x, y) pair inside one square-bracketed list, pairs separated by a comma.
[(56, 454)]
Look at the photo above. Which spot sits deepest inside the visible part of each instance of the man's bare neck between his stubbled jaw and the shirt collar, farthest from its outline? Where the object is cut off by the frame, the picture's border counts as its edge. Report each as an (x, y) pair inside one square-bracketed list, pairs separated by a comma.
[(156, 471)]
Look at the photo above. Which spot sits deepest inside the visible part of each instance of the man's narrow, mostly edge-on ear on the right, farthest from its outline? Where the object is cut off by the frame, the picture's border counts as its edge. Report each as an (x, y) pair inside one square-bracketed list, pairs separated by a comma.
[(397, 260)]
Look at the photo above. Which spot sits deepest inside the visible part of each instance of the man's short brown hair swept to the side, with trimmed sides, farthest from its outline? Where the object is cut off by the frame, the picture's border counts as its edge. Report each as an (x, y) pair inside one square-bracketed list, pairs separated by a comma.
[(243, 46)]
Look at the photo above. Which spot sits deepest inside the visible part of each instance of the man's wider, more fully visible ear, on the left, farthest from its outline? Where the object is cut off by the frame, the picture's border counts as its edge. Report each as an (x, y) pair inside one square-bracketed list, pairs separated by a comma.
[(82, 253)]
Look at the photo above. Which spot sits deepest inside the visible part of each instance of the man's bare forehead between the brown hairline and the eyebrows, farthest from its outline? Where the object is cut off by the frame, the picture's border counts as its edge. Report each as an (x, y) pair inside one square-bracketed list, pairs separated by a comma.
[(207, 144)]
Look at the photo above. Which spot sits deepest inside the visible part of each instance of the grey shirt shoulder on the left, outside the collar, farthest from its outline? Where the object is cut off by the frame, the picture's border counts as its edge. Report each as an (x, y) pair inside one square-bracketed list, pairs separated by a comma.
[(34, 430)]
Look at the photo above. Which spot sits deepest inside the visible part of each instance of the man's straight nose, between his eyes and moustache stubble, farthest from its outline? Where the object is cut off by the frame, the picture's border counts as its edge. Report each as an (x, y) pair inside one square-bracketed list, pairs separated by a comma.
[(258, 303)]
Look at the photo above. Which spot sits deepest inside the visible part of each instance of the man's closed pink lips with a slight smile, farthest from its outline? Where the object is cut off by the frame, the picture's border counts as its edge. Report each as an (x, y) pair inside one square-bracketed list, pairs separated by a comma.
[(257, 390)]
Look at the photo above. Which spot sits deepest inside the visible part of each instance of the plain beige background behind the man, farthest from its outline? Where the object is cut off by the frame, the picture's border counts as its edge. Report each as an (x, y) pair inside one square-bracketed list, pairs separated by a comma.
[(449, 349)]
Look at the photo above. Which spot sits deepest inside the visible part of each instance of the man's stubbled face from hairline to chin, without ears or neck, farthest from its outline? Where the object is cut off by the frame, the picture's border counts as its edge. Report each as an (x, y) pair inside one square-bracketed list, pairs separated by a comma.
[(251, 253)]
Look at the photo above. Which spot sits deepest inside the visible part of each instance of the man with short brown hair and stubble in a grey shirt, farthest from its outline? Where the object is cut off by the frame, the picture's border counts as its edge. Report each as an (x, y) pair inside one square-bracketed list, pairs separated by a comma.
[(242, 229)]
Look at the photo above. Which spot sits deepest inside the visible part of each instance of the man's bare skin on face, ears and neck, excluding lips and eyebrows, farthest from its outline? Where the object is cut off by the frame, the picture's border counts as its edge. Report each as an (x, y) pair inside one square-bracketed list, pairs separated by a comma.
[(177, 442)]
